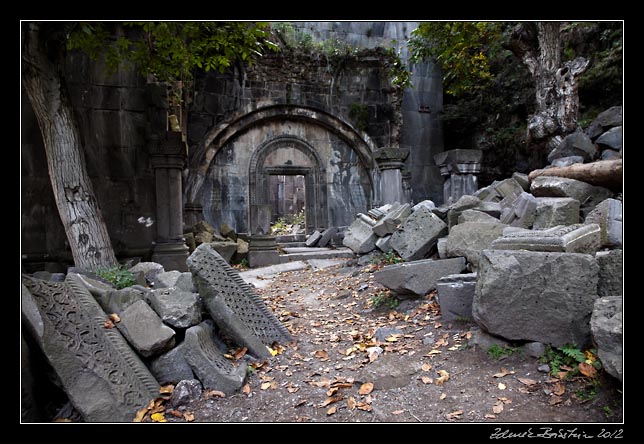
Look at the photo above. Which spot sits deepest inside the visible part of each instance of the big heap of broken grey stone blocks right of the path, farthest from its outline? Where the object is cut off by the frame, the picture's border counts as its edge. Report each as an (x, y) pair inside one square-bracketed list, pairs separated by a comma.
[(535, 261)]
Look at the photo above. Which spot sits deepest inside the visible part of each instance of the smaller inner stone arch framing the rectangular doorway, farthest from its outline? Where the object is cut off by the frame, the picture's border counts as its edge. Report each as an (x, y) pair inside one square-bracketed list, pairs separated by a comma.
[(279, 156)]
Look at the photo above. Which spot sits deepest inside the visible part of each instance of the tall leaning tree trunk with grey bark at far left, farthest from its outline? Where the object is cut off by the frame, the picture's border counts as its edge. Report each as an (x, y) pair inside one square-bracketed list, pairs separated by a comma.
[(42, 62)]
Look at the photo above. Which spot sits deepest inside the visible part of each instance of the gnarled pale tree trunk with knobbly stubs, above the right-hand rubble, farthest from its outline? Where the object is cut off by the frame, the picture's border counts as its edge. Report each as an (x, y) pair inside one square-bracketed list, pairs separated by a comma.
[(539, 46)]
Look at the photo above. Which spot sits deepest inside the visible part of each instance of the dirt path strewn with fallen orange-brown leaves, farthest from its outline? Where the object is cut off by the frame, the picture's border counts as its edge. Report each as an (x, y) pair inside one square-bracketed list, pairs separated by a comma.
[(424, 370)]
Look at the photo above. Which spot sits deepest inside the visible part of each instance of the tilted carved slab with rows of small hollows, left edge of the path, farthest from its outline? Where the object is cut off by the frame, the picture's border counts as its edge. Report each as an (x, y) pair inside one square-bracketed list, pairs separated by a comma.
[(232, 303)]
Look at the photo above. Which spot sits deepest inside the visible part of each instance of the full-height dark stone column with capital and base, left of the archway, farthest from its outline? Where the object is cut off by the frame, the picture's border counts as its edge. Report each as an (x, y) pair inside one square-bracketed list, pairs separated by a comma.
[(168, 158)]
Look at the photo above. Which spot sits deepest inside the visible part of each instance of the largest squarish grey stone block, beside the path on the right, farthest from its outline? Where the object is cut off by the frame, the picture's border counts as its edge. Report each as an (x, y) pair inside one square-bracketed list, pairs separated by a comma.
[(536, 296)]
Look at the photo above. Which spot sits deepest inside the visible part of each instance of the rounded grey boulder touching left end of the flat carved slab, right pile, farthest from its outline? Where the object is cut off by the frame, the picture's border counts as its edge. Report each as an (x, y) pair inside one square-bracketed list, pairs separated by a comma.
[(470, 238)]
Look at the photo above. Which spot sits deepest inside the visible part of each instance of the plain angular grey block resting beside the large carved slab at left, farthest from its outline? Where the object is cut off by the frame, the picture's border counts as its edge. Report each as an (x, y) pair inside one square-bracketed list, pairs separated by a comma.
[(144, 330)]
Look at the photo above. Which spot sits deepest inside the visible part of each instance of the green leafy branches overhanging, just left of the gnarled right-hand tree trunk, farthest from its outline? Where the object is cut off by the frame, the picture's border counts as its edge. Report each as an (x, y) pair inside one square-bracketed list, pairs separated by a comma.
[(462, 49)]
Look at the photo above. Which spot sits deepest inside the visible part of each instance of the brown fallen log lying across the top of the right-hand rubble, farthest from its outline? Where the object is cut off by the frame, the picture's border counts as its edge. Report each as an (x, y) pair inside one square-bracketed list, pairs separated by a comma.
[(606, 173)]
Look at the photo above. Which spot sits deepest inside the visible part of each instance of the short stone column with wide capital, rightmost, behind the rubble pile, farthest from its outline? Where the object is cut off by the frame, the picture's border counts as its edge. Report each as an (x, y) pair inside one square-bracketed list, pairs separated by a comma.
[(460, 168)]
